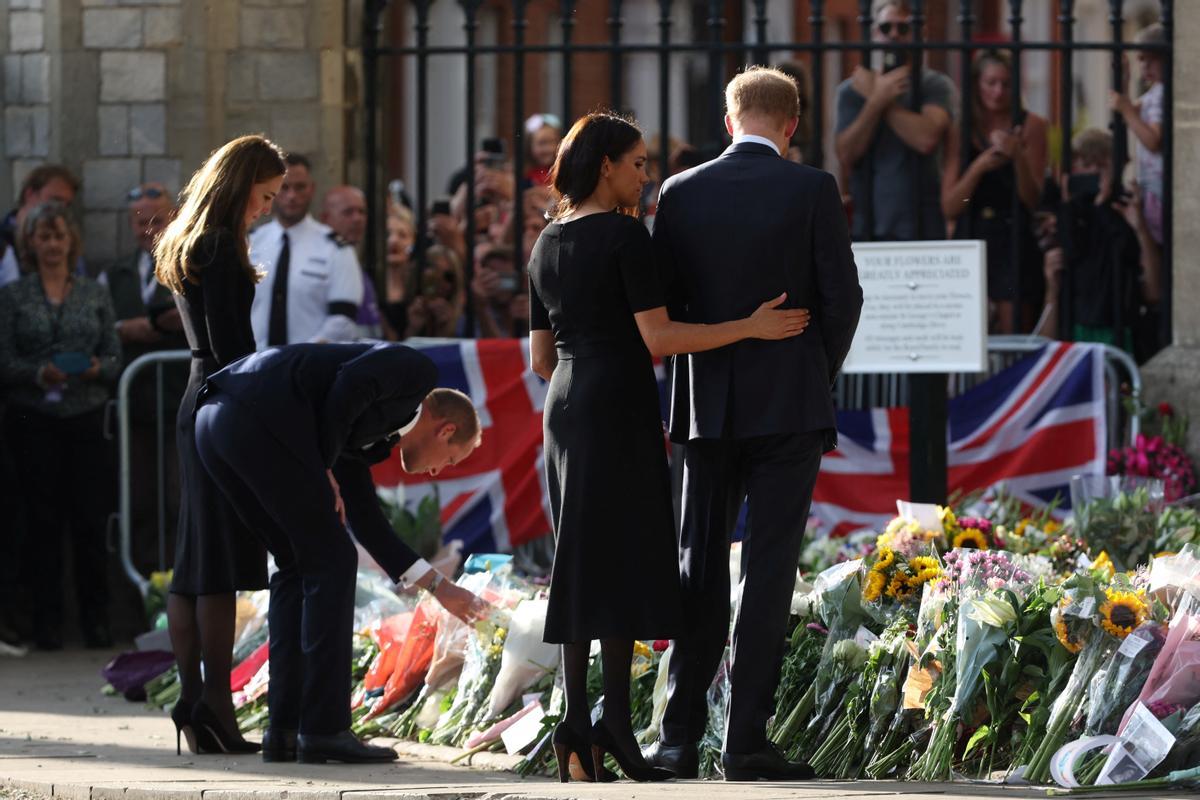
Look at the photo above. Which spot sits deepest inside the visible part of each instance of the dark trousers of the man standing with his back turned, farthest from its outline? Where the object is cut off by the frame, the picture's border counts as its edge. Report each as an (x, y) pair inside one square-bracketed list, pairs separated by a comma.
[(777, 474)]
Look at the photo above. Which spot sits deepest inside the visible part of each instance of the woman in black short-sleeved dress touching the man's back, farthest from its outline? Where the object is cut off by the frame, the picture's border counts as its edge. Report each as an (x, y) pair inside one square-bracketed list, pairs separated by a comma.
[(598, 316)]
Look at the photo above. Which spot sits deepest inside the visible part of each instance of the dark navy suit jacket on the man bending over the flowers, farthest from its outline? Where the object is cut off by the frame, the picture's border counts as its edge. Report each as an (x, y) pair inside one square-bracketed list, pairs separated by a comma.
[(338, 406)]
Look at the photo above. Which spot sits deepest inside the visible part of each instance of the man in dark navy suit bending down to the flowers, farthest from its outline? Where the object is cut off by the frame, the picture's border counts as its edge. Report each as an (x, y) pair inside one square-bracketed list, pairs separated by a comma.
[(289, 436)]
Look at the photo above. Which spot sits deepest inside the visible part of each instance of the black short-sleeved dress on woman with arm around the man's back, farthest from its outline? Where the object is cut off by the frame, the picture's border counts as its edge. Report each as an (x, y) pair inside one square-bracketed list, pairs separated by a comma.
[(616, 566)]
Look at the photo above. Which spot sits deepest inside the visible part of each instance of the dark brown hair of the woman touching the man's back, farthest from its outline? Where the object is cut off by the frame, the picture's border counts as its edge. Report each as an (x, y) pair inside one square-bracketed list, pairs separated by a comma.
[(577, 172)]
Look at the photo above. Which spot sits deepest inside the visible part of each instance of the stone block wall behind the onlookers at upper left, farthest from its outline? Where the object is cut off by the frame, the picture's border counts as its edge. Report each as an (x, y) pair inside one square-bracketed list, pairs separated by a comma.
[(125, 92)]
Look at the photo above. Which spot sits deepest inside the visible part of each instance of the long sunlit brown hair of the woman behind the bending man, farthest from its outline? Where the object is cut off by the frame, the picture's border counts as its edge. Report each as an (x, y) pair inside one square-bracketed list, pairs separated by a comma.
[(217, 197)]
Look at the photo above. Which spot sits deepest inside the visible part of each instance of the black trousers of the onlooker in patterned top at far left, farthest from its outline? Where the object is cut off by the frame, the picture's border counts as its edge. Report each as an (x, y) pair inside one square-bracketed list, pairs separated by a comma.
[(67, 477)]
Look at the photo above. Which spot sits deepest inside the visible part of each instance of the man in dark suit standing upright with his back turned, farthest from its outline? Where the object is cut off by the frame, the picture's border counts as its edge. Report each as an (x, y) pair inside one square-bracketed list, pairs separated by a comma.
[(755, 417)]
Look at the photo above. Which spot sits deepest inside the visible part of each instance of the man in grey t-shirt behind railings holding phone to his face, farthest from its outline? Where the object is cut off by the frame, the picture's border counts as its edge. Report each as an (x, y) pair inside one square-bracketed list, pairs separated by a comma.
[(881, 141)]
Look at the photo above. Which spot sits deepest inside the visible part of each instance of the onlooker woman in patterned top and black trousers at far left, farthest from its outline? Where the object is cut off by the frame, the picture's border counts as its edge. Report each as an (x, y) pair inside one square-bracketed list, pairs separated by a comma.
[(59, 356)]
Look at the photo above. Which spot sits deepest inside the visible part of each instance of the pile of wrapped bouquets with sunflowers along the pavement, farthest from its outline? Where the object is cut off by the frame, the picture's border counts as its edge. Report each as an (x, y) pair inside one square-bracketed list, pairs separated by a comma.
[(980, 641)]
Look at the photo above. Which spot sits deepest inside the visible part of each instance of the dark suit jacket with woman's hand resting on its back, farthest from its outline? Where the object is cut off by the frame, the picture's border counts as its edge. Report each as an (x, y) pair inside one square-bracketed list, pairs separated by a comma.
[(730, 236)]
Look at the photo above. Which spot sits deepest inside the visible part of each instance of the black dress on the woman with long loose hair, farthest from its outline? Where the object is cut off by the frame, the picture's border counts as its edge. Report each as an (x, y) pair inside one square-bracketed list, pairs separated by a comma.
[(215, 554)]
